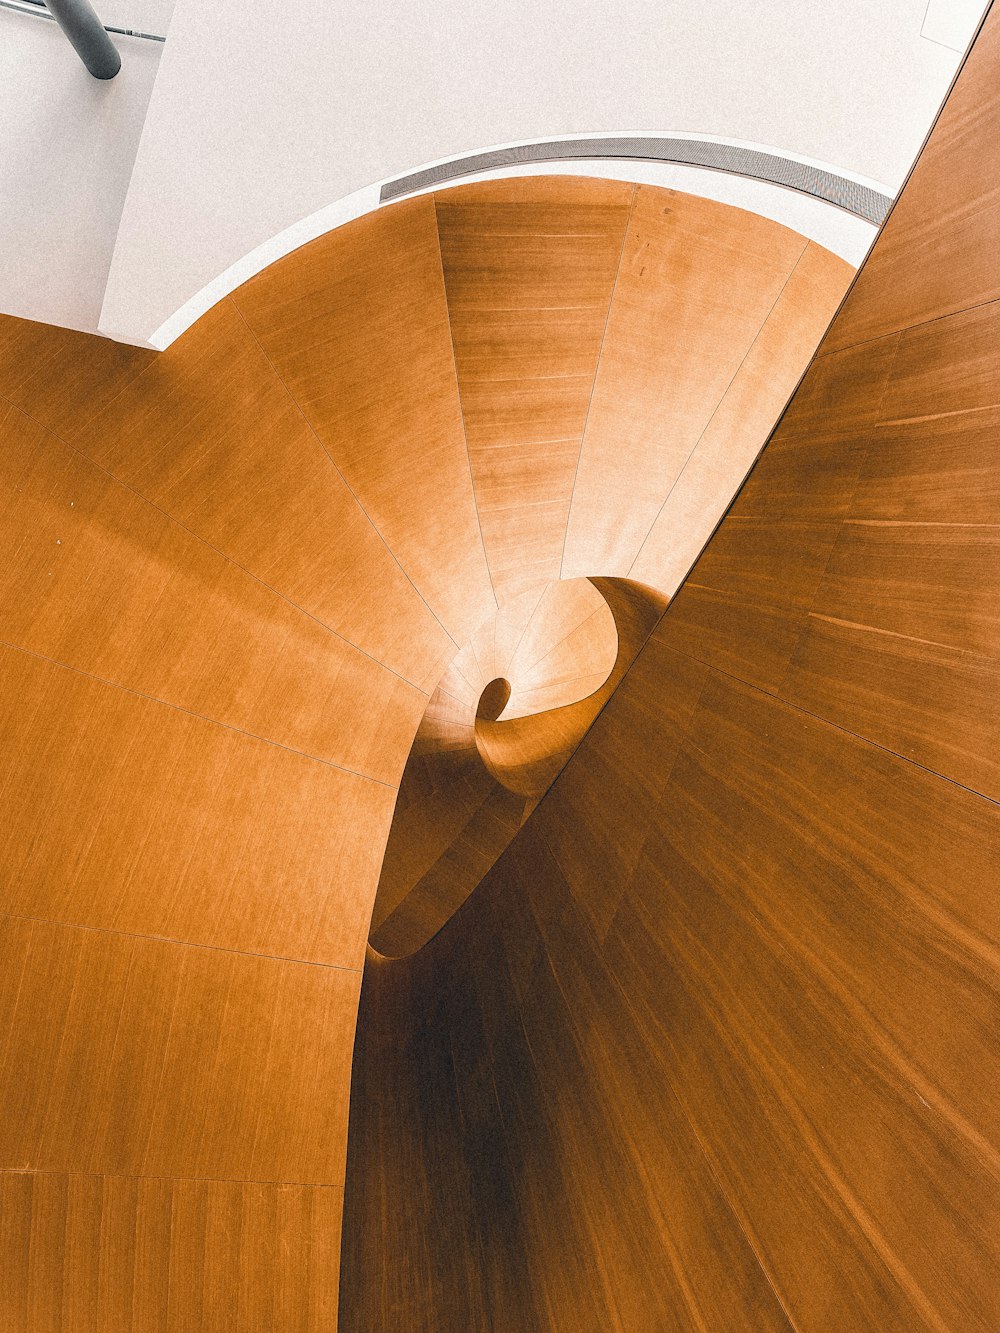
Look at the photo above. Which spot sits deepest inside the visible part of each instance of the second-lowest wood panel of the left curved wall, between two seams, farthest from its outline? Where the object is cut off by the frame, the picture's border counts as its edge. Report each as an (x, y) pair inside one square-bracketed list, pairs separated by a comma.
[(129, 1056)]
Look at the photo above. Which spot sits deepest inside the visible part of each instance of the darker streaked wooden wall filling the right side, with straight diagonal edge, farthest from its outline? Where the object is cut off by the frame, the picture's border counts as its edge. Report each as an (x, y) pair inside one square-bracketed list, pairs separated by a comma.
[(715, 1044)]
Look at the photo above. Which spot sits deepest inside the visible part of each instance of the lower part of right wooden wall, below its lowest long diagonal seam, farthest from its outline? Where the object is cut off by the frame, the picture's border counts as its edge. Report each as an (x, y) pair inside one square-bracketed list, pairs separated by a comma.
[(801, 958)]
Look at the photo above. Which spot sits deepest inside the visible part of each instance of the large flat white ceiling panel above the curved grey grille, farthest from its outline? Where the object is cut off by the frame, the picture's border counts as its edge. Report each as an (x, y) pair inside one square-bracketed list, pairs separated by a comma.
[(263, 117)]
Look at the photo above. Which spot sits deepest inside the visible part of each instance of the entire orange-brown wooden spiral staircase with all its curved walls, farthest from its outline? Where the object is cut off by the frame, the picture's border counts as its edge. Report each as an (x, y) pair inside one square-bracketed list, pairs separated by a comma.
[(711, 1040)]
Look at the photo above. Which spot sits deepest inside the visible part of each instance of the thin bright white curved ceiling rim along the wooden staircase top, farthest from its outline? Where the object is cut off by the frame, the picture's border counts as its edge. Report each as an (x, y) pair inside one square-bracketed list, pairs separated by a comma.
[(839, 231)]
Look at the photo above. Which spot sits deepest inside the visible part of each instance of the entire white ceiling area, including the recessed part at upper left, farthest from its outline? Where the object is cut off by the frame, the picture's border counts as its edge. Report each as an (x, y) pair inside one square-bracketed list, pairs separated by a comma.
[(265, 117)]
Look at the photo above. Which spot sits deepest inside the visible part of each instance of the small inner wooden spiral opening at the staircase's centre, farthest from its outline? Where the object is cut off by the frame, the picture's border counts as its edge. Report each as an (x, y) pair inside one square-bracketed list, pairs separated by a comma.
[(477, 771)]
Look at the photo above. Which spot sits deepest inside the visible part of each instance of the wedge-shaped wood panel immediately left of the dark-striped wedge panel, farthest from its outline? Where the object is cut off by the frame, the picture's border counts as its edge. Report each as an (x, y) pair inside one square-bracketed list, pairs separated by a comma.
[(357, 326)]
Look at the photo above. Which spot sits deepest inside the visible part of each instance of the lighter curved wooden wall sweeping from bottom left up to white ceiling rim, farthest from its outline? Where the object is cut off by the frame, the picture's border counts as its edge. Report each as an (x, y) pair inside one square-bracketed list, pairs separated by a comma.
[(231, 578)]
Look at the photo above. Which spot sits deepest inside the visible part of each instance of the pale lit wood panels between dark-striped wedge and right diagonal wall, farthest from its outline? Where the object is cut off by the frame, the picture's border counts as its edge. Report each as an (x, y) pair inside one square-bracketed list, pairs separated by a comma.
[(691, 365)]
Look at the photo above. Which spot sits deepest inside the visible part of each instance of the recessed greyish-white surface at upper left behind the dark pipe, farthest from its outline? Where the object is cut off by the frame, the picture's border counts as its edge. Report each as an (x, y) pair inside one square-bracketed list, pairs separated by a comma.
[(67, 147)]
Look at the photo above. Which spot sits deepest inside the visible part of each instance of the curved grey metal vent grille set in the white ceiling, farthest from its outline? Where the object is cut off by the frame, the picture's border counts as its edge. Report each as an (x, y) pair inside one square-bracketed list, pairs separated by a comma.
[(861, 201)]
